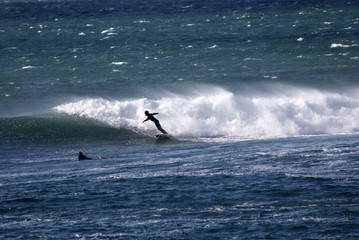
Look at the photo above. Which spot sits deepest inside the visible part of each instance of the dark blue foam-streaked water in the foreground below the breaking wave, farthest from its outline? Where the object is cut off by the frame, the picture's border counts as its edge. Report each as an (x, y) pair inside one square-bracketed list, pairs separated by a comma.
[(283, 188)]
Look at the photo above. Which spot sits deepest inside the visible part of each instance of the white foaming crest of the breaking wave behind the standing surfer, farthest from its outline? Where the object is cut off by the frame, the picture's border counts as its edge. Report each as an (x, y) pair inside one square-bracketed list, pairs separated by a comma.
[(218, 112)]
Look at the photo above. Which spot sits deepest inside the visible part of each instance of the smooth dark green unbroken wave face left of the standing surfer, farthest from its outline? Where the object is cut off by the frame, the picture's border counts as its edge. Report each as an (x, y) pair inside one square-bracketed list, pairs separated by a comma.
[(52, 127)]
